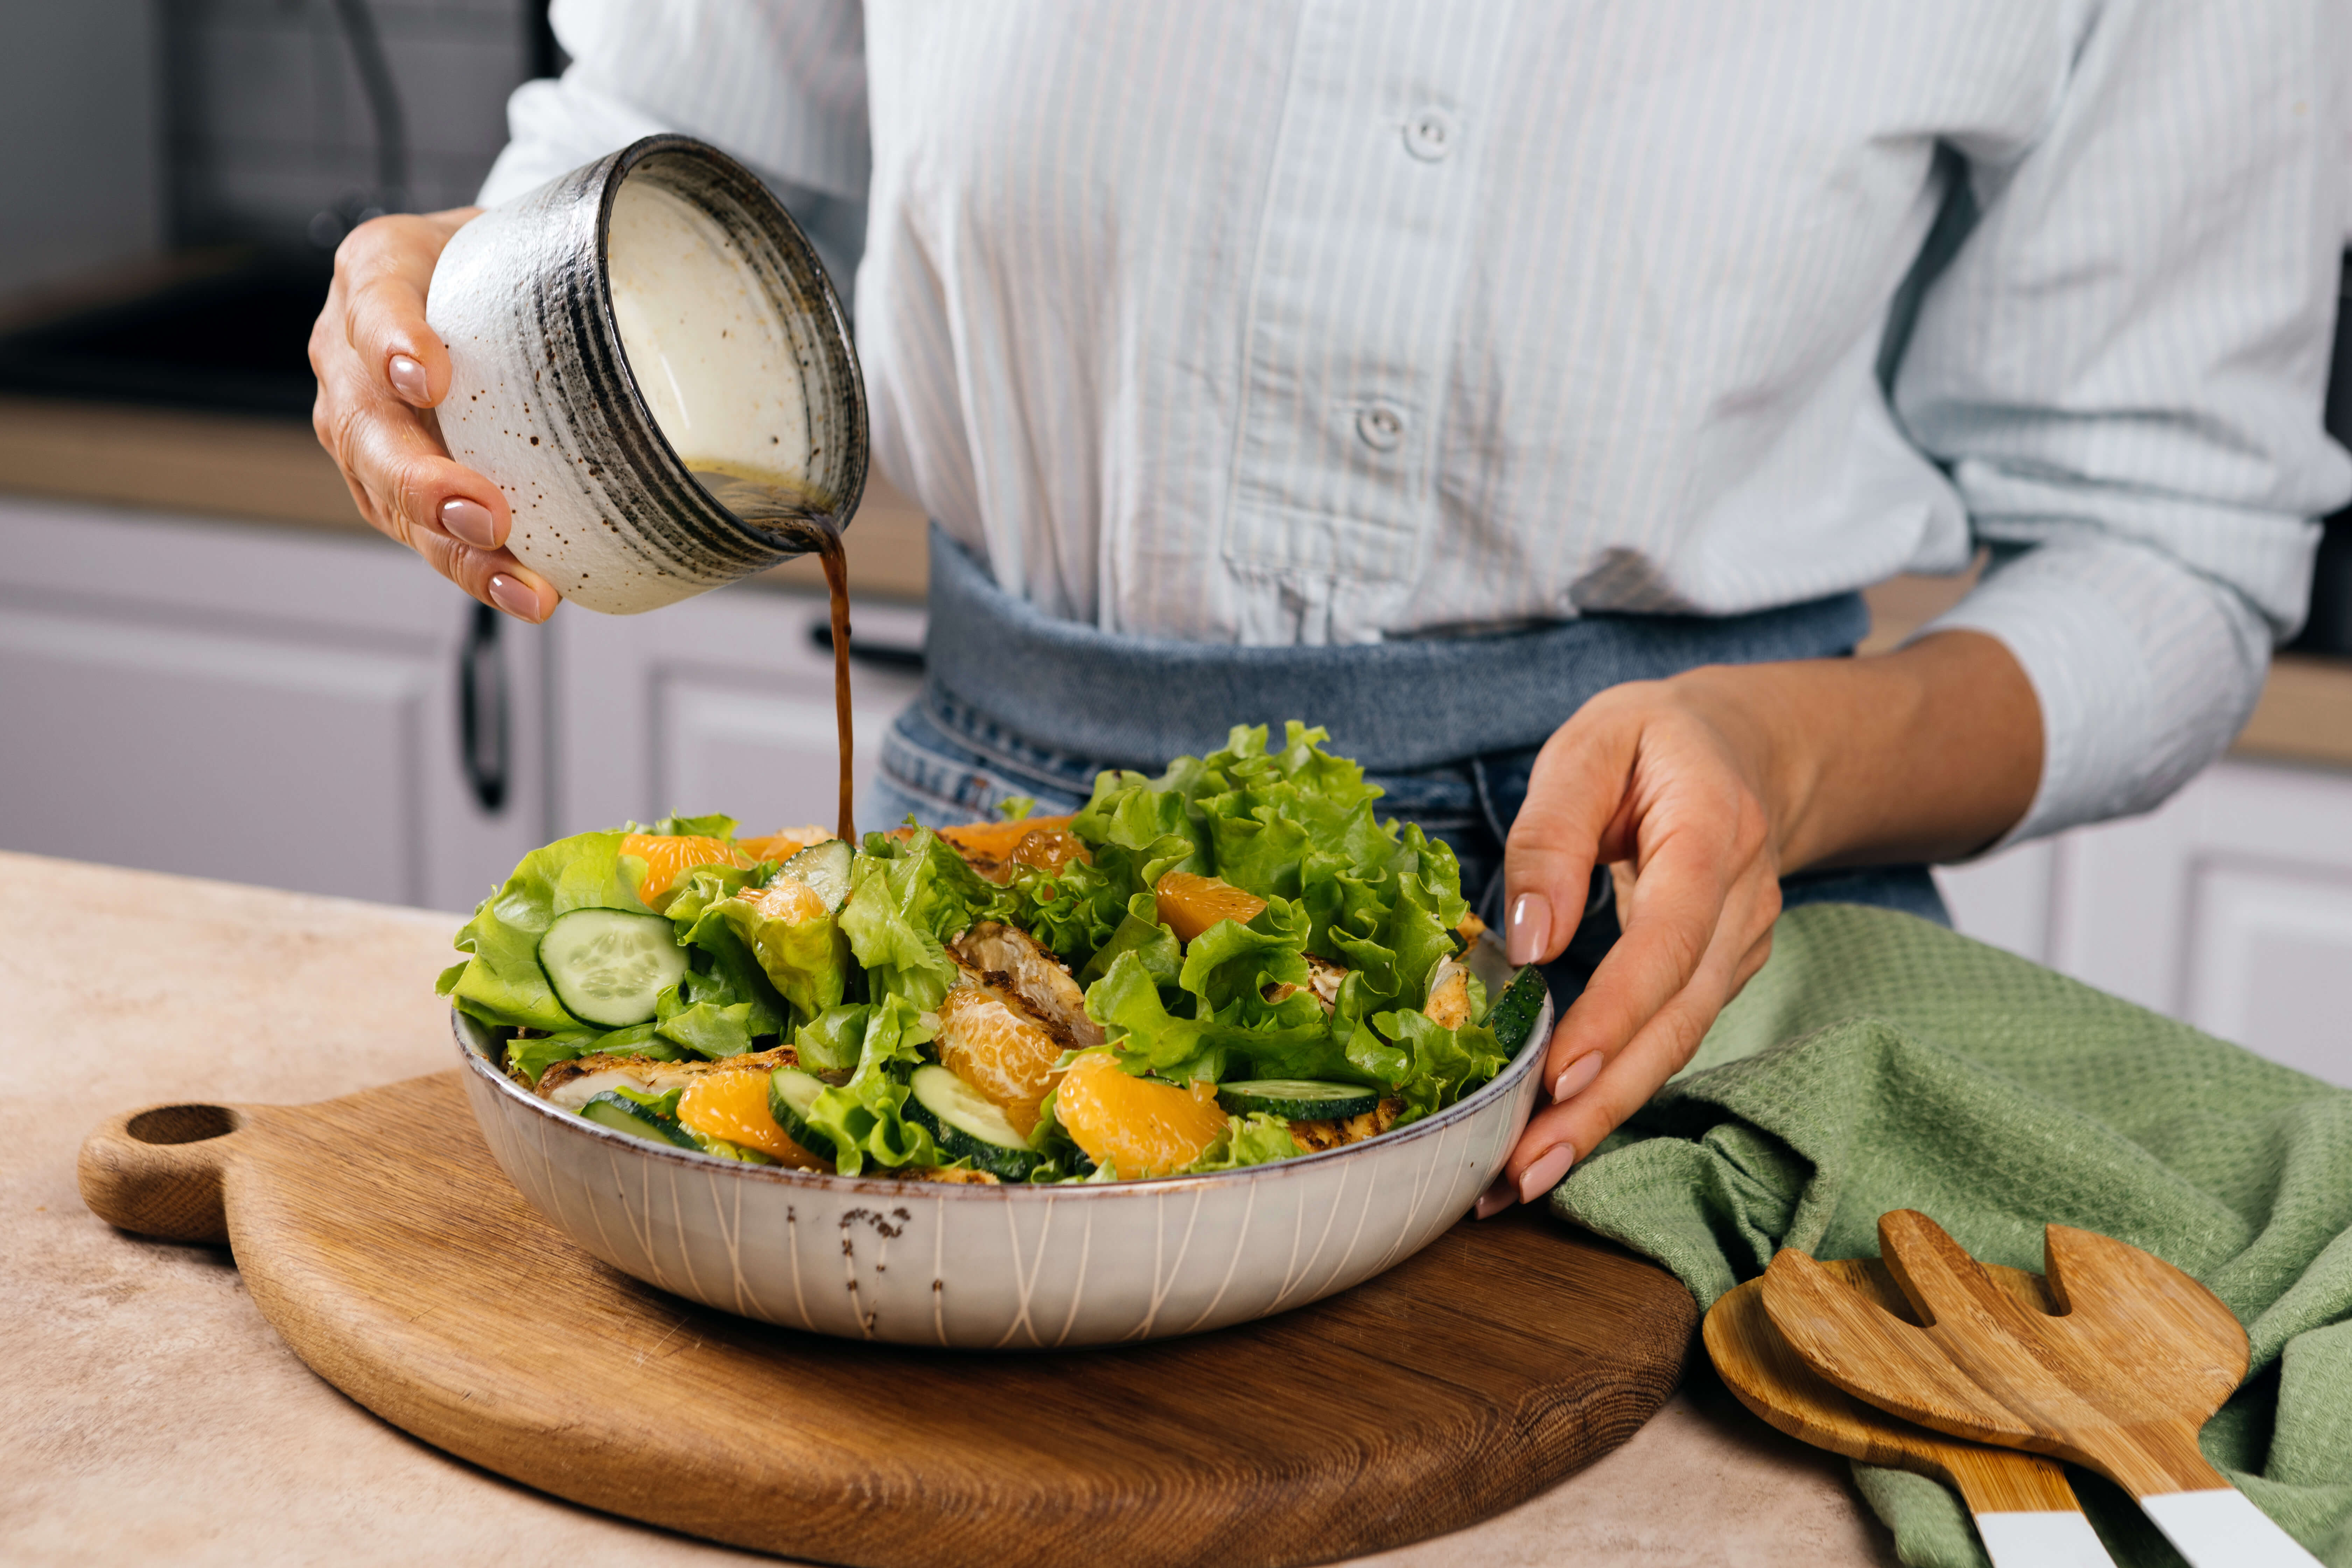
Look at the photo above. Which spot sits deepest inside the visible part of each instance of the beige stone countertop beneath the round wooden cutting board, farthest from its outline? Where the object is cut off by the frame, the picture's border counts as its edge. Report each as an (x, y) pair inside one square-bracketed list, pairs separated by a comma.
[(149, 1414)]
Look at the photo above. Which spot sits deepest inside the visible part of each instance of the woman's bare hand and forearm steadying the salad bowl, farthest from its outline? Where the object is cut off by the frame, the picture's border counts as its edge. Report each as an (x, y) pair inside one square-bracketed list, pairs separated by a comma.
[(1711, 786)]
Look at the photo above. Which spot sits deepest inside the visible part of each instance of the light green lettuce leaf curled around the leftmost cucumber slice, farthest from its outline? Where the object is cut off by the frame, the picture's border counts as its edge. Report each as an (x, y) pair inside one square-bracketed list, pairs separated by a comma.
[(502, 981)]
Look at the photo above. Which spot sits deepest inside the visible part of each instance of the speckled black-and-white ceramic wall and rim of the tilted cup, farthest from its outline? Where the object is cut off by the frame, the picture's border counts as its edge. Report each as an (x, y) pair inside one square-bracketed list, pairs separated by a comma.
[(544, 401)]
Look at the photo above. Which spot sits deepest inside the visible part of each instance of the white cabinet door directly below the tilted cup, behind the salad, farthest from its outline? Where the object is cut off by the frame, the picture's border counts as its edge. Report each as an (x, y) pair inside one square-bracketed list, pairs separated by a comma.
[(726, 709)]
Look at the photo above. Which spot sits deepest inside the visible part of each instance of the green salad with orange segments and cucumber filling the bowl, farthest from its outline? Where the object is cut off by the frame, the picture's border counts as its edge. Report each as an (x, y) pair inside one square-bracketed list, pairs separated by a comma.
[(1220, 967)]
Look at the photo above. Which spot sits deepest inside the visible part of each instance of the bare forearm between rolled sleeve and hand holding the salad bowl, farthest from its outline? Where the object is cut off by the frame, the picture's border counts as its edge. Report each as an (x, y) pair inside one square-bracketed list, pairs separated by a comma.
[(1927, 753)]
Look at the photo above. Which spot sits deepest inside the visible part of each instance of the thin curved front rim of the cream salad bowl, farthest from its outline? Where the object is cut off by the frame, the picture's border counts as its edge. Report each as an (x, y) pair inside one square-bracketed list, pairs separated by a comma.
[(1502, 1085)]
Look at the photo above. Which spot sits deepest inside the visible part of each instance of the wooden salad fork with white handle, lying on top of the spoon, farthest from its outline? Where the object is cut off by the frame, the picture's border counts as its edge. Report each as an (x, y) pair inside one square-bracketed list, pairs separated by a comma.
[(2120, 1379)]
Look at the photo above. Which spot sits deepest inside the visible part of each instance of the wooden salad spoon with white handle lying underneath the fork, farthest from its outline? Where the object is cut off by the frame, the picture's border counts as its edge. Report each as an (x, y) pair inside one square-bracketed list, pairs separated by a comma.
[(2022, 1503)]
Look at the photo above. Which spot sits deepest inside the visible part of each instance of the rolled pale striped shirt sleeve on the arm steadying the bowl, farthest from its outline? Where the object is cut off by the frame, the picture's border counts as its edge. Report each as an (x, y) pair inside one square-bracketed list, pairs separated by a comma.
[(2123, 370)]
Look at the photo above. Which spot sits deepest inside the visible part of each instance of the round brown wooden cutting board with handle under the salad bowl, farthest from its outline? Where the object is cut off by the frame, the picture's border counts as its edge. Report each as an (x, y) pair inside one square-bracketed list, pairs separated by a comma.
[(396, 1259)]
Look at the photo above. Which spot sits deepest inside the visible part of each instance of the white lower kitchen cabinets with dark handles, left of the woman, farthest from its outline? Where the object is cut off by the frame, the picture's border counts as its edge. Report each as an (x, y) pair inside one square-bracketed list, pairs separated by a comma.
[(290, 709)]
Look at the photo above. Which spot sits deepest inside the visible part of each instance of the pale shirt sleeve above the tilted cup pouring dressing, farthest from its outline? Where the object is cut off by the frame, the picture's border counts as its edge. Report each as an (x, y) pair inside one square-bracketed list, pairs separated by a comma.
[(775, 83)]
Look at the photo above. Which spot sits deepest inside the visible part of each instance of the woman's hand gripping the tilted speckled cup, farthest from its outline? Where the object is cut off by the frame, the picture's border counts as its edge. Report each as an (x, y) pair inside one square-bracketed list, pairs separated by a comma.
[(380, 373)]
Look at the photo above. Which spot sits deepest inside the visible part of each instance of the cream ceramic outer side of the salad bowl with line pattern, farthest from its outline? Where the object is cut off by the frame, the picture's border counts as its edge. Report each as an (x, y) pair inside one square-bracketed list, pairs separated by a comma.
[(1001, 1268)]
